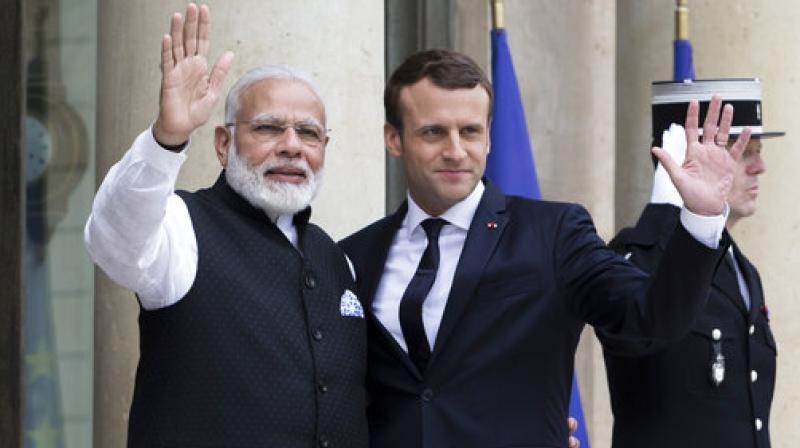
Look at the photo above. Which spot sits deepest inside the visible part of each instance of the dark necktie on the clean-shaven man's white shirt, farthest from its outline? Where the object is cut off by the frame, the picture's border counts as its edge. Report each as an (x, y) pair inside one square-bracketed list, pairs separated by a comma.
[(414, 297)]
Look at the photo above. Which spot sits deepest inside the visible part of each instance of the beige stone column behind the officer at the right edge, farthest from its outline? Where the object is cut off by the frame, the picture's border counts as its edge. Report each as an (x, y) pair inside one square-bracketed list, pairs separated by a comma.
[(755, 38)]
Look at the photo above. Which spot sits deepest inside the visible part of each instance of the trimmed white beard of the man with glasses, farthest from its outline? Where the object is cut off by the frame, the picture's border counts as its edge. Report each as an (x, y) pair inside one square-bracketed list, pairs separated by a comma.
[(274, 198)]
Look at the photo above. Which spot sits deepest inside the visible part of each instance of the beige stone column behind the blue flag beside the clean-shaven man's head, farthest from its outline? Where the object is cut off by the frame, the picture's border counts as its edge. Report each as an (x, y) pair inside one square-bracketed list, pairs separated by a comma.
[(564, 56)]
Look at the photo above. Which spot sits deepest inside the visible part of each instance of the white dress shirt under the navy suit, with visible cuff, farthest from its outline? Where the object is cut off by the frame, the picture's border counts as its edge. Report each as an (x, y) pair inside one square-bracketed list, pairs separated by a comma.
[(410, 241)]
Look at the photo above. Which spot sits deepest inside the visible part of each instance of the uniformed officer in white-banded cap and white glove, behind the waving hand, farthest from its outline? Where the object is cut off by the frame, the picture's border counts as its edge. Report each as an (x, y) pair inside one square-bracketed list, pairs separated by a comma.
[(714, 387)]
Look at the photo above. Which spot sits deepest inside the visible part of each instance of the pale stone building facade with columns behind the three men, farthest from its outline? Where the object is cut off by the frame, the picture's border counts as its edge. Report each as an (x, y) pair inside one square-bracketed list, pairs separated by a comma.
[(81, 82)]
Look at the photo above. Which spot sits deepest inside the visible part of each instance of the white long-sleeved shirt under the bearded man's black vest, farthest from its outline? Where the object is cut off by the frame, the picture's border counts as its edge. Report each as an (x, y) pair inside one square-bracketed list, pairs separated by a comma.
[(140, 232)]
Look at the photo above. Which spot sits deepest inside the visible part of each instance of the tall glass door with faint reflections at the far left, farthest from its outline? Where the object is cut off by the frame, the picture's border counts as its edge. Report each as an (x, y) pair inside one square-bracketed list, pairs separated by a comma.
[(60, 46)]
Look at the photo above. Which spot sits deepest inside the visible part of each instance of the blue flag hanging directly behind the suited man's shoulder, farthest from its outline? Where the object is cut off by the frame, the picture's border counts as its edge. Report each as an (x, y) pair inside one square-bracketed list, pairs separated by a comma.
[(510, 164)]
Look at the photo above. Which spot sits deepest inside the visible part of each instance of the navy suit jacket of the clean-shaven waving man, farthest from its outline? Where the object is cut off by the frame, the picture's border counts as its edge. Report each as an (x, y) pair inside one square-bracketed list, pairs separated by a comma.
[(531, 274)]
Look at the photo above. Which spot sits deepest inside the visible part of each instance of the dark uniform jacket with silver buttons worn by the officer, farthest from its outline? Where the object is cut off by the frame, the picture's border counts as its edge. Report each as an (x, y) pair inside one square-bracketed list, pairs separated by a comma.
[(667, 398)]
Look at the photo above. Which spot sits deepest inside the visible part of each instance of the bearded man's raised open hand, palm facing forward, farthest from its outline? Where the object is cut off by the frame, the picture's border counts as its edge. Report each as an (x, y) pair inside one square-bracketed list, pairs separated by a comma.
[(188, 91)]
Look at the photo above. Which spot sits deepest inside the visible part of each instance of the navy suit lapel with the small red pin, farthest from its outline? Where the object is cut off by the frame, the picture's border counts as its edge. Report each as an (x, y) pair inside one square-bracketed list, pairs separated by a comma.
[(484, 233)]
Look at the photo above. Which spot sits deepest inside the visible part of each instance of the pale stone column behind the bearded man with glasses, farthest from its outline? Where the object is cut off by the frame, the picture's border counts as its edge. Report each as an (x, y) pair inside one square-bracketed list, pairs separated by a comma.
[(339, 43)]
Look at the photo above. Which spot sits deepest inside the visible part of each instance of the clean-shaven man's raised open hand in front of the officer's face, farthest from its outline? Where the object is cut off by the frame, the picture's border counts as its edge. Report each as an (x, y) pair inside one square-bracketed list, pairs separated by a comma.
[(706, 175)]
